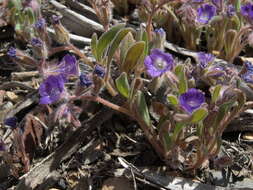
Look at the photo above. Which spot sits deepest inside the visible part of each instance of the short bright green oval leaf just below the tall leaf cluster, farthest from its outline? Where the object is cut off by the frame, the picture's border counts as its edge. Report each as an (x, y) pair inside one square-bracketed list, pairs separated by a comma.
[(123, 85)]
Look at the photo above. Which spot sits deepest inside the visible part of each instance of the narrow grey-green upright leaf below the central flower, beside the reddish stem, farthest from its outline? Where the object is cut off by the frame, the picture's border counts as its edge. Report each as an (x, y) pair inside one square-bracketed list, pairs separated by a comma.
[(142, 107)]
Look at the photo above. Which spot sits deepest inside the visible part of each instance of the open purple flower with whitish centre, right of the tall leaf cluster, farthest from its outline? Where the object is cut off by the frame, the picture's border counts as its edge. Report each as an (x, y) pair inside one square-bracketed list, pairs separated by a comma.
[(158, 63)]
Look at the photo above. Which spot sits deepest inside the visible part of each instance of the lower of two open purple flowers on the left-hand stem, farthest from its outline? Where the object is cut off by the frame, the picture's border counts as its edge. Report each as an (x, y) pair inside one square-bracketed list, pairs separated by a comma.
[(51, 89)]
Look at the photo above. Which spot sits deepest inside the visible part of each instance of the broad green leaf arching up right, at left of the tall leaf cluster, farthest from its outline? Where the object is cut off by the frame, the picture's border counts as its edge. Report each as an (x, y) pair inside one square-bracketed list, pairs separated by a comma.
[(106, 39)]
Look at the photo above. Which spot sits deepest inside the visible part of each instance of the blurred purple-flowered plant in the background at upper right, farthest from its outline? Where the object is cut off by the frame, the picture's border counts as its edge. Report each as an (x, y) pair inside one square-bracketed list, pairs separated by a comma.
[(224, 26)]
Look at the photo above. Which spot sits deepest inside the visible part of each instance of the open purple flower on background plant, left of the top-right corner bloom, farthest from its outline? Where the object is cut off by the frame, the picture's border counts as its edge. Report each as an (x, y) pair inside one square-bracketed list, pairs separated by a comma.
[(205, 13)]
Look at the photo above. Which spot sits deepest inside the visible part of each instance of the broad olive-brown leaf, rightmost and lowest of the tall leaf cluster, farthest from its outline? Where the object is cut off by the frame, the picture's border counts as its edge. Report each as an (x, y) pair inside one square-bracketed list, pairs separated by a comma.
[(132, 56)]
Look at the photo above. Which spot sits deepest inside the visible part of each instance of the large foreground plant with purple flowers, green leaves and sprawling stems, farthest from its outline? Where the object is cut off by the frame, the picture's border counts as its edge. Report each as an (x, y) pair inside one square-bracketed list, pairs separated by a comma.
[(183, 108)]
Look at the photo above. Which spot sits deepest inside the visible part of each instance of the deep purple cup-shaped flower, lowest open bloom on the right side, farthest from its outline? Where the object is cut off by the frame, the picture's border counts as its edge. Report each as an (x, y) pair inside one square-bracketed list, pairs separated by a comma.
[(191, 100)]
